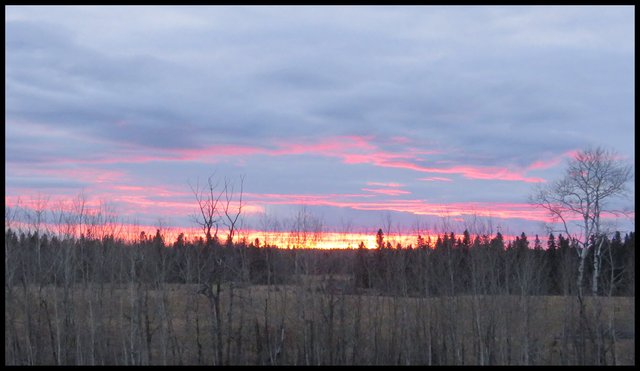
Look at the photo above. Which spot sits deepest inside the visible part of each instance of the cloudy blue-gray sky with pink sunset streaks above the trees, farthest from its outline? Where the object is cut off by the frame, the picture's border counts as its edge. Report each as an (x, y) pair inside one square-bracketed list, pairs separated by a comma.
[(358, 116)]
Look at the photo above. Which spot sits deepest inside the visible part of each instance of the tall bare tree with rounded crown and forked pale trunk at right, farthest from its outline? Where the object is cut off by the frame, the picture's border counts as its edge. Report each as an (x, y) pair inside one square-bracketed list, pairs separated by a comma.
[(592, 178)]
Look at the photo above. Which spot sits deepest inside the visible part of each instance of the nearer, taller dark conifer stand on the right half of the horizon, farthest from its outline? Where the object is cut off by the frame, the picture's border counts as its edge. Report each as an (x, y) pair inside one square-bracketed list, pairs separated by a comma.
[(491, 266)]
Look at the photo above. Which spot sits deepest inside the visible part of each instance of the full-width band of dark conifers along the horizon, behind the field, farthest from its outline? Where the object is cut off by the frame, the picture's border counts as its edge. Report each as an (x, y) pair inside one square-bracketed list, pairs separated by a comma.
[(450, 266)]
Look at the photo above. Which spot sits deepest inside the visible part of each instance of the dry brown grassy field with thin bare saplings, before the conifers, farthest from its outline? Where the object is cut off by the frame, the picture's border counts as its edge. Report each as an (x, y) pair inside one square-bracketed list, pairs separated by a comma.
[(314, 321)]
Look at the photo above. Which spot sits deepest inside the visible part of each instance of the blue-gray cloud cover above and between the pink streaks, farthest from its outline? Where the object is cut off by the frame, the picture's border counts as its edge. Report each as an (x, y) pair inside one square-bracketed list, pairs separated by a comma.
[(485, 86)]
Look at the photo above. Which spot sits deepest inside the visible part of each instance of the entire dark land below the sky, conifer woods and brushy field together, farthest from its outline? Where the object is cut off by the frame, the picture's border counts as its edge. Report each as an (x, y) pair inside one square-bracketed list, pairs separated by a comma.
[(471, 300)]
